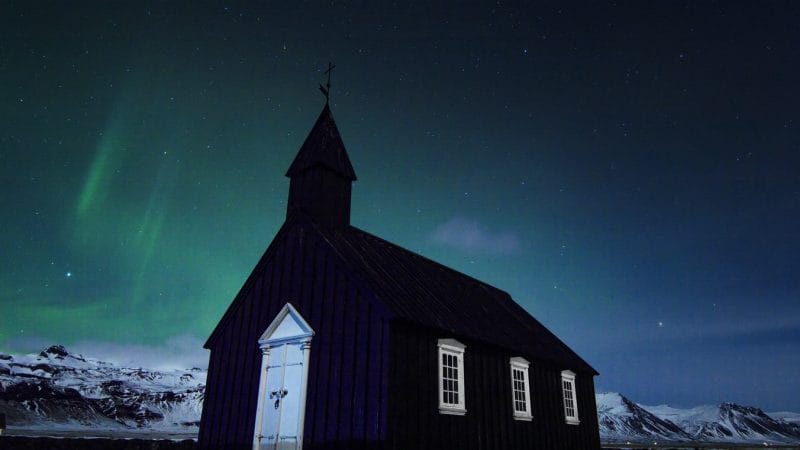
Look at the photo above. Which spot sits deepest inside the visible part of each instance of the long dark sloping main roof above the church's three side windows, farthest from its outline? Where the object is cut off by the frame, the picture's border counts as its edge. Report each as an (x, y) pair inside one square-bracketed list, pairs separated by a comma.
[(425, 292)]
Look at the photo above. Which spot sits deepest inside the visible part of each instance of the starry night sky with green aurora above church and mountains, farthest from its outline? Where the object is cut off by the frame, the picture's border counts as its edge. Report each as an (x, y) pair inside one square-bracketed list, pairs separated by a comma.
[(629, 173)]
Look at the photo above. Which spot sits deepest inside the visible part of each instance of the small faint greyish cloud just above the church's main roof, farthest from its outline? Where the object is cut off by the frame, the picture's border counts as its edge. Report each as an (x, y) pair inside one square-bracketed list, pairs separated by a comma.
[(470, 236)]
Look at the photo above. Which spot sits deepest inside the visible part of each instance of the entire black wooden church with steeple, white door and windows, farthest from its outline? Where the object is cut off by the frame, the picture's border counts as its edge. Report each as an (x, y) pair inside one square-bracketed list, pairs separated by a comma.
[(342, 340)]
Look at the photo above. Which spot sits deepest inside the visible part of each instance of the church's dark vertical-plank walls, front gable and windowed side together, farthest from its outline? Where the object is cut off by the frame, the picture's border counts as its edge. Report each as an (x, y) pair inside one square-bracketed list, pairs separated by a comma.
[(369, 388)]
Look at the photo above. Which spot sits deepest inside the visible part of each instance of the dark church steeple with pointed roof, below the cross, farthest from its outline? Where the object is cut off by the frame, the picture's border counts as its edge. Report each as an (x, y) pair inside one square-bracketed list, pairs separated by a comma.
[(321, 175)]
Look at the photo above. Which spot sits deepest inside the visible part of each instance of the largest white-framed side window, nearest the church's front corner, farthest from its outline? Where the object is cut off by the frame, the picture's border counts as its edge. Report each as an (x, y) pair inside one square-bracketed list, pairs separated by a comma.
[(451, 377)]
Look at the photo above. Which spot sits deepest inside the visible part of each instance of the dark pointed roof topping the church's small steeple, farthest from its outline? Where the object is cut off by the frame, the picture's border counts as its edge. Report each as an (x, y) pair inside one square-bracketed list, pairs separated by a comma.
[(323, 146)]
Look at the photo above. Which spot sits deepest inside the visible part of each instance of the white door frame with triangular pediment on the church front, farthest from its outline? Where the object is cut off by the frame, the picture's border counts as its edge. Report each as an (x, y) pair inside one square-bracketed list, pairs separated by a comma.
[(298, 332)]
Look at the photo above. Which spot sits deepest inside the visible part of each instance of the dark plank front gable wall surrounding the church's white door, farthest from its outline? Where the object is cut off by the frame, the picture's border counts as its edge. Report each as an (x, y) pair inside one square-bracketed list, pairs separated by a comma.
[(346, 398)]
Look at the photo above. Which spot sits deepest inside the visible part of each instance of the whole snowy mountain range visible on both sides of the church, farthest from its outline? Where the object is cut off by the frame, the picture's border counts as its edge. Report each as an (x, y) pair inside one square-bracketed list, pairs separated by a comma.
[(57, 391)]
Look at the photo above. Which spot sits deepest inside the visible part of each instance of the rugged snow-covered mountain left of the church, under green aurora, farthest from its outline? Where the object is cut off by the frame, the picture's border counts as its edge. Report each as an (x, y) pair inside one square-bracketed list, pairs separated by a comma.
[(58, 390)]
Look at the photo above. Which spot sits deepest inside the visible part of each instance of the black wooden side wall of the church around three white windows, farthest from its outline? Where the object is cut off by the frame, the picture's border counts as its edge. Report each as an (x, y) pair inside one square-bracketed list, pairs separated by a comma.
[(415, 422)]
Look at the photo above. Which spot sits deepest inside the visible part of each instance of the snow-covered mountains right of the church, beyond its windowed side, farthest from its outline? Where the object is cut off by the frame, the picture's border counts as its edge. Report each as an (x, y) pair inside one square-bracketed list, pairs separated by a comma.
[(621, 420)]
